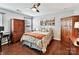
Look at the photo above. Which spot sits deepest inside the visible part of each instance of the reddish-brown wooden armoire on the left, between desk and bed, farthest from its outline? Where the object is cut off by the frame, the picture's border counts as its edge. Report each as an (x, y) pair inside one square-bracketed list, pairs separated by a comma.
[(17, 29)]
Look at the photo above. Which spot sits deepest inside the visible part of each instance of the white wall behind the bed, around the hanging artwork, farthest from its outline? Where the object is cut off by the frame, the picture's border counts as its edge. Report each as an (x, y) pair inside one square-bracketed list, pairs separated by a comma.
[(58, 16)]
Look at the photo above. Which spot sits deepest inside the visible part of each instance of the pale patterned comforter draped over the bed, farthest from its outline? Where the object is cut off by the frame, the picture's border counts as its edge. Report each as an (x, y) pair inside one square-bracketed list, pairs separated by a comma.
[(37, 43)]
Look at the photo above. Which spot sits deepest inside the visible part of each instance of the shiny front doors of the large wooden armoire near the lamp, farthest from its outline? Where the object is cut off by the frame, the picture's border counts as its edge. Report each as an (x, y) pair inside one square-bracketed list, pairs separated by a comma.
[(66, 30)]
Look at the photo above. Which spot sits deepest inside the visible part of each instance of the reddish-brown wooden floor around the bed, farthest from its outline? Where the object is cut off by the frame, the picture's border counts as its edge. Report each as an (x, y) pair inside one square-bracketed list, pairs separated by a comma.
[(54, 48)]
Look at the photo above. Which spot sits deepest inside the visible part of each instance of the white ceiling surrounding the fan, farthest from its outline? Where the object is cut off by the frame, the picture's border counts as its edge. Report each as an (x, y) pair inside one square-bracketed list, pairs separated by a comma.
[(45, 8)]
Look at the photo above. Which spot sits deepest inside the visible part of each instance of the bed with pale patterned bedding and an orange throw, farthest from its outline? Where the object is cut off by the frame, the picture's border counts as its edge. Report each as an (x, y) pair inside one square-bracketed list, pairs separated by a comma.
[(37, 40)]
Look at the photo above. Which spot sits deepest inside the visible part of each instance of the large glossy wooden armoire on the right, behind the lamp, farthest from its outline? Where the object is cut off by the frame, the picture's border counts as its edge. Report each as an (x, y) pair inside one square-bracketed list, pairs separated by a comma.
[(68, 32)]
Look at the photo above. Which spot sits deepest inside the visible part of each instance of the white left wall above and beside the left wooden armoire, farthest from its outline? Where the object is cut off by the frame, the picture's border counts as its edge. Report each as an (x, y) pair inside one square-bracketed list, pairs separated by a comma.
[(9, 15)]
